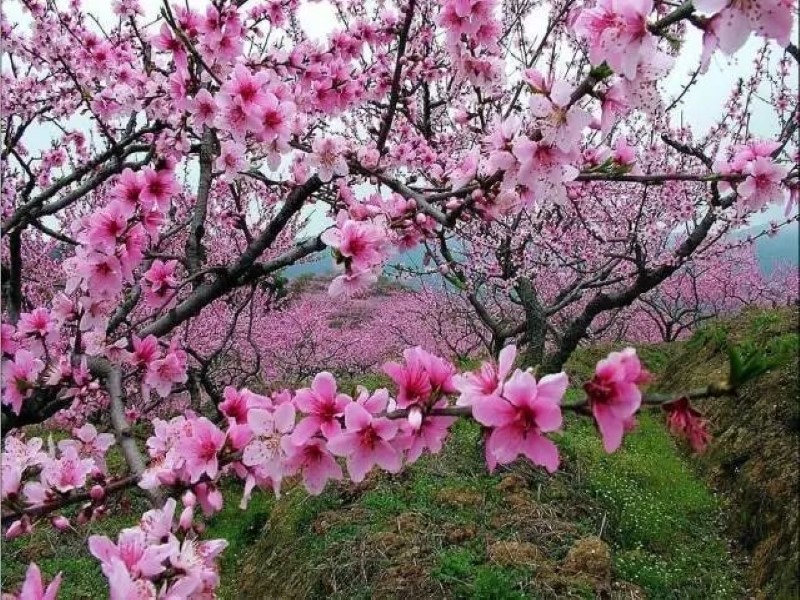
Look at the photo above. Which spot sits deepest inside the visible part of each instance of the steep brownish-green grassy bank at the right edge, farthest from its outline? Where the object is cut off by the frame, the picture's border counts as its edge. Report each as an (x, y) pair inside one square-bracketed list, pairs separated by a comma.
[(755, 456)]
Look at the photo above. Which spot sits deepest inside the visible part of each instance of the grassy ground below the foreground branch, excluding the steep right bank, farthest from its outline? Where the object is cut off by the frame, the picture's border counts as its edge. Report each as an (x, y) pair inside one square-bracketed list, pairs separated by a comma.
[(446, 528)]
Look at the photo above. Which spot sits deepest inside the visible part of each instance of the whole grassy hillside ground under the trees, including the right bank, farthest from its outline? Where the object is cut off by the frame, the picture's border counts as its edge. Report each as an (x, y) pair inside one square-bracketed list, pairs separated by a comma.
[(642, 523)]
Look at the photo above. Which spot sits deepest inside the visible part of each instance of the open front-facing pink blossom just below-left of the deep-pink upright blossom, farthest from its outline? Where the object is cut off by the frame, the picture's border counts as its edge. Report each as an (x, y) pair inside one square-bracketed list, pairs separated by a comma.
[(365, 442)]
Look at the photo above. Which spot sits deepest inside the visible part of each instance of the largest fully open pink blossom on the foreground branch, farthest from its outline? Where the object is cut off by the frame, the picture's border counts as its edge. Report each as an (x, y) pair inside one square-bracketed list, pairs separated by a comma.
[(526, 410)]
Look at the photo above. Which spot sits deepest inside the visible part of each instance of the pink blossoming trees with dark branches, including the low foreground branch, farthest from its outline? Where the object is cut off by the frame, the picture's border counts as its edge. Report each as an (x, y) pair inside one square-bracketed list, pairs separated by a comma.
[(158, 171)]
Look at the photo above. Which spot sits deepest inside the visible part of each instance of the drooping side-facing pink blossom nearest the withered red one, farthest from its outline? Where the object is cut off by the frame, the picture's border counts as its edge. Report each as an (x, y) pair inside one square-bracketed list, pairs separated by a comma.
[(614, 394)]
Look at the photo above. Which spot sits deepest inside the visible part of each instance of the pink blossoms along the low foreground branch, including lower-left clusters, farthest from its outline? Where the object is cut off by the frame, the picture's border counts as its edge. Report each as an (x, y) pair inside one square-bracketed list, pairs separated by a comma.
[(266, 439)]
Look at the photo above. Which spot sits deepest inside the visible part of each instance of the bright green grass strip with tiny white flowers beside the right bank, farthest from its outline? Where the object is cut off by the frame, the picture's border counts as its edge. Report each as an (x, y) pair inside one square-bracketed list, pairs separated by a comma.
[(662, 519)]
